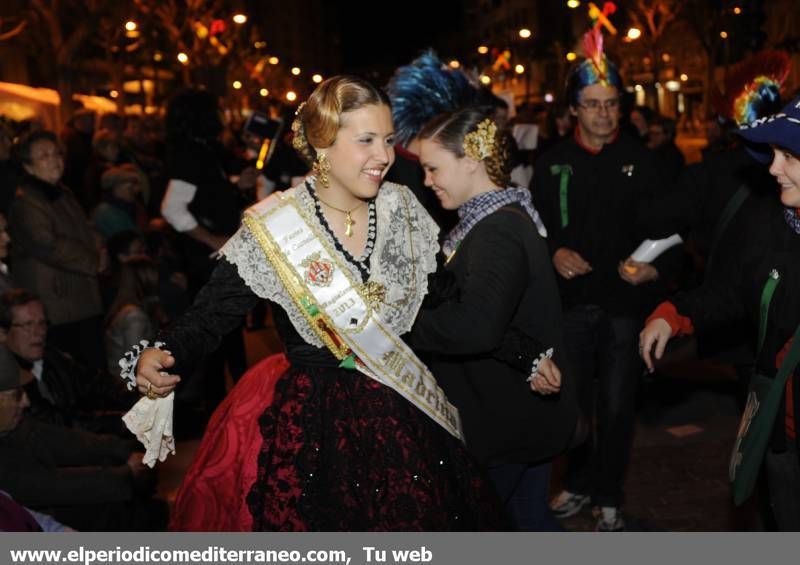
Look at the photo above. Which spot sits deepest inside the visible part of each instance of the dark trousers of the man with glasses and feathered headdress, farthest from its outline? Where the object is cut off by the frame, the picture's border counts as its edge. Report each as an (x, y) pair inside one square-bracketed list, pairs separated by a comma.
[(603, 352)]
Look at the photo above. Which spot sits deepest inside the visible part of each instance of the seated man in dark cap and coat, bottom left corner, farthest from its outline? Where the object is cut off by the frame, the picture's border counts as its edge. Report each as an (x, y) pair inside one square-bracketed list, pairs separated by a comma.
[(86, 481)]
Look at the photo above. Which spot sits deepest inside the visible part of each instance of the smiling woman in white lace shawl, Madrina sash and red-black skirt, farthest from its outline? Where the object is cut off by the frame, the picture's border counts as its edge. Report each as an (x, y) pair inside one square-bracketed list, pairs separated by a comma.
[(351, 435)]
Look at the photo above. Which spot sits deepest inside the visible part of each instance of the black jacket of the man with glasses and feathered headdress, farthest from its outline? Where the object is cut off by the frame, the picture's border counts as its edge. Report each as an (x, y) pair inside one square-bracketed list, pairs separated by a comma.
[(610, 199)]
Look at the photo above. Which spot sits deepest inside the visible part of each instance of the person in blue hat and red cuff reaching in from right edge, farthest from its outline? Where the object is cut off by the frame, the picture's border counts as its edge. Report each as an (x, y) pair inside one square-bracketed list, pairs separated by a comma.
[(761, 287)]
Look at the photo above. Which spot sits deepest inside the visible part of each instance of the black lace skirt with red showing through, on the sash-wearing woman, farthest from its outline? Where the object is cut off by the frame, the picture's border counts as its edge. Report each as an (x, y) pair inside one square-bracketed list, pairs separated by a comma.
[(342, 452)]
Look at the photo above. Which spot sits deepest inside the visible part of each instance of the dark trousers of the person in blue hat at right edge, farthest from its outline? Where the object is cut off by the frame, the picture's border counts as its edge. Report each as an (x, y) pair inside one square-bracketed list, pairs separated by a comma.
[(783, 479)]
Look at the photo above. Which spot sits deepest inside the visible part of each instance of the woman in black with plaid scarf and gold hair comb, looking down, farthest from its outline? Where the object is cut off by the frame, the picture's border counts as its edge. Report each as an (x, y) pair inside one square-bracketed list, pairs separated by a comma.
[(505, 282)]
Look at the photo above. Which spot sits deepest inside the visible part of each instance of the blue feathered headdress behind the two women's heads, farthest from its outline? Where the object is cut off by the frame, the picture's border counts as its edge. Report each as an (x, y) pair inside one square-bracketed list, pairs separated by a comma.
[(424, 89)]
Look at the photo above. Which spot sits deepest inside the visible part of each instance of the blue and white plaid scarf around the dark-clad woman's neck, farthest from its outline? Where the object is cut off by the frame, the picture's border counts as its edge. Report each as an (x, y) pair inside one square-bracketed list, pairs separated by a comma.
[(477, 208)]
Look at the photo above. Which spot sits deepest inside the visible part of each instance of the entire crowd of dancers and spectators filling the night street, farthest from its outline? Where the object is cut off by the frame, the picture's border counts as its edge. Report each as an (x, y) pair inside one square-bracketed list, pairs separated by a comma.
[(459, 296)]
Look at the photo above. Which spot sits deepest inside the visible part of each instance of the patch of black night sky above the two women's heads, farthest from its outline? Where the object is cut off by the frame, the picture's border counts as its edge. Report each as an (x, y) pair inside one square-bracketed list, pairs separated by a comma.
[(385, 35)]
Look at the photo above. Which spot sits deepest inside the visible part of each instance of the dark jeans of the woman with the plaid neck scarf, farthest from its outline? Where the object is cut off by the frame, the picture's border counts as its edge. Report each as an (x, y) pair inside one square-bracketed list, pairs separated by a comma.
[(523, 489)]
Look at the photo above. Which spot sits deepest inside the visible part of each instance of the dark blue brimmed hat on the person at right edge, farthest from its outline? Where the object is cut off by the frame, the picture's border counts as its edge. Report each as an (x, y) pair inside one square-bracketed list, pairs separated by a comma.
[(781, 129)]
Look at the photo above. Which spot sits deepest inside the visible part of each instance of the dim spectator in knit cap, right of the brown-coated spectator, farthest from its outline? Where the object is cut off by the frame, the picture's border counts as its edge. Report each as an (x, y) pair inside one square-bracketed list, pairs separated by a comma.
[(120, 209)]
